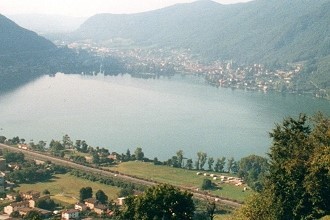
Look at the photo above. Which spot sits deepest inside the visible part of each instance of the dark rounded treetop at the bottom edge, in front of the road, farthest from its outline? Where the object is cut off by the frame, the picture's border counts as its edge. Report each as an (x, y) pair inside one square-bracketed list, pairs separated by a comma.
[(159, 202)]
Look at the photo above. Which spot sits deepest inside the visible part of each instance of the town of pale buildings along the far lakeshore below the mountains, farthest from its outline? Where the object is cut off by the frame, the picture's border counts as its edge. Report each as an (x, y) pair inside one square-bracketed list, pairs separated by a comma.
[(154, 62)]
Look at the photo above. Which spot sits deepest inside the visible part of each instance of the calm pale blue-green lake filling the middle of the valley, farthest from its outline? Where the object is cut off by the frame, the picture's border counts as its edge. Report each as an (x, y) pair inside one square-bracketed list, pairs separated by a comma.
[(160, 115)]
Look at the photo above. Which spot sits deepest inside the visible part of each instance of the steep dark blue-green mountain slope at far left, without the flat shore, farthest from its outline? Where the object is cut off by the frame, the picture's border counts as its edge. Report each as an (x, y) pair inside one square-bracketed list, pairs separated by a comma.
[(23, 54)]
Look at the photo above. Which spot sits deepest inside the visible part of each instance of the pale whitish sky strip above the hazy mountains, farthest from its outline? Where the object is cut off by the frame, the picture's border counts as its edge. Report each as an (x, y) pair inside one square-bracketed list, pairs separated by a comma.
[(85, 8)]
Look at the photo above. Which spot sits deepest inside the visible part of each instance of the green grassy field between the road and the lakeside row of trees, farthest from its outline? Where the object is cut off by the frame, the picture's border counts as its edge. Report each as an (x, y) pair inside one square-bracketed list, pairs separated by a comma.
[(177, 177)]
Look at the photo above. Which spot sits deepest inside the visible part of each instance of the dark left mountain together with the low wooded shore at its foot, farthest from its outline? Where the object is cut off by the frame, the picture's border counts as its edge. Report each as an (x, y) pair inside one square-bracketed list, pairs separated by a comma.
[(24, 56)]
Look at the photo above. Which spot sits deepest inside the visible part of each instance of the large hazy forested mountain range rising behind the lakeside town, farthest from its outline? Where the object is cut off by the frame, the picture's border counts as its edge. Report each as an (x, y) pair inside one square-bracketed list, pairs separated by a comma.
[(272, 32)]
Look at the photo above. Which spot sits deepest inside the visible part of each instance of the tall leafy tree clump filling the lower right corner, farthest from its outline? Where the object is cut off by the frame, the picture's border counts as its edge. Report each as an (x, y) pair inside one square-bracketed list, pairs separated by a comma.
[(297, 185)]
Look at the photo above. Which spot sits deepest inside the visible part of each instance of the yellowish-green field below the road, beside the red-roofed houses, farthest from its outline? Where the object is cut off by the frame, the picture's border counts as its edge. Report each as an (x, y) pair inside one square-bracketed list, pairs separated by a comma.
[(65, 188)]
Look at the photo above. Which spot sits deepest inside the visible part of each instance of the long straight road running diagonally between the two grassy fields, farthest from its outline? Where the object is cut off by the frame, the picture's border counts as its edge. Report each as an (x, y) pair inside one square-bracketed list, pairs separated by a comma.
[(60, 161)]
